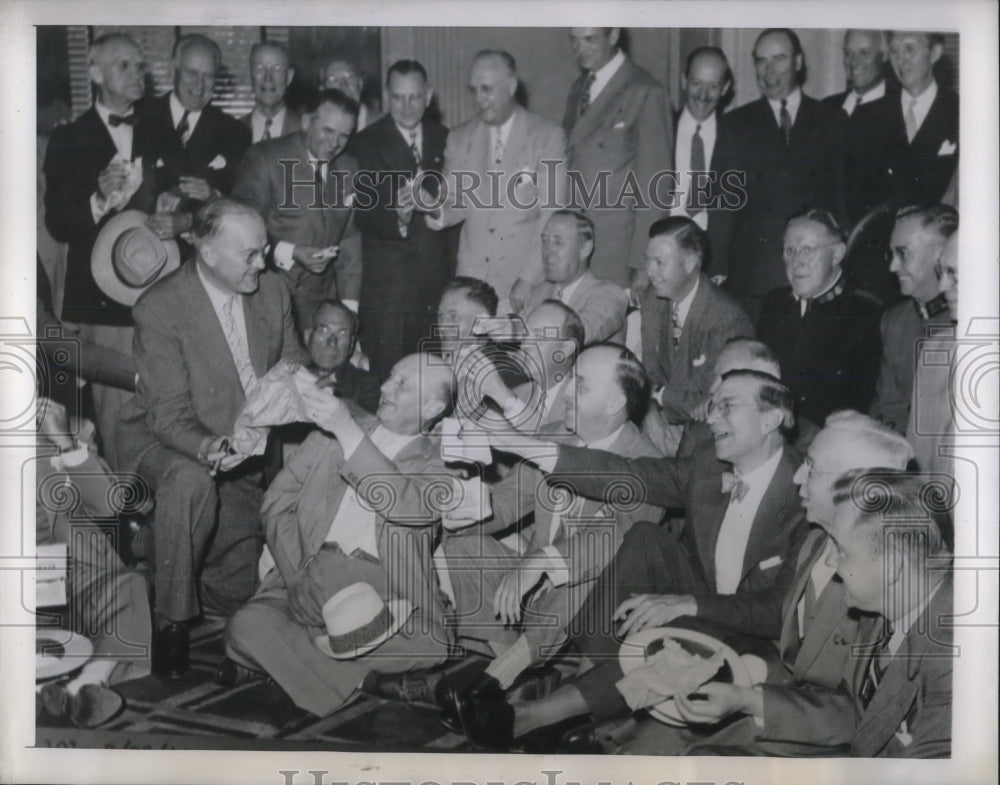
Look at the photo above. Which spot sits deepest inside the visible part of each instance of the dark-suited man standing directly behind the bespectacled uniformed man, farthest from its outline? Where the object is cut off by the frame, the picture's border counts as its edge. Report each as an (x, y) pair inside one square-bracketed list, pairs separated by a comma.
[(791, 148)]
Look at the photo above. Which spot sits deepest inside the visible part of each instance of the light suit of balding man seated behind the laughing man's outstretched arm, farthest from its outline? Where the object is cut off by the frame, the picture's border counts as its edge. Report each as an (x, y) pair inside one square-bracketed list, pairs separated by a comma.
[(587, 536)]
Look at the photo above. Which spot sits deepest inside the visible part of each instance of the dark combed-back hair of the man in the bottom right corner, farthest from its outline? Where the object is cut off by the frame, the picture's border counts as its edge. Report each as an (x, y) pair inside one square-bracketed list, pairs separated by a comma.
[(916, 506)]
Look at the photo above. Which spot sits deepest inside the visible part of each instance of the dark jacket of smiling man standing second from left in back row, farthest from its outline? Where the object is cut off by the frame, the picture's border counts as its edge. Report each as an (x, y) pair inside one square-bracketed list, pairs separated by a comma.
[(214, 150)]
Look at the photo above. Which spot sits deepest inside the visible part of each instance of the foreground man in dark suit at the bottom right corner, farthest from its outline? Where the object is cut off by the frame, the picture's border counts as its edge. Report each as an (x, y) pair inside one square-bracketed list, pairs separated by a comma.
[(894, 700)]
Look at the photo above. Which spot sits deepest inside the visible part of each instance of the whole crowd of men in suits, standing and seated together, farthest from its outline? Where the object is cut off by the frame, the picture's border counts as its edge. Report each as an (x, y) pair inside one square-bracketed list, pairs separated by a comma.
[(532, 424)]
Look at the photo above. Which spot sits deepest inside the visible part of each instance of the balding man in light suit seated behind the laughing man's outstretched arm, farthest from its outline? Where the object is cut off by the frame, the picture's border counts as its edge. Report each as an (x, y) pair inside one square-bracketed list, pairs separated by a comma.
[(537, 594)]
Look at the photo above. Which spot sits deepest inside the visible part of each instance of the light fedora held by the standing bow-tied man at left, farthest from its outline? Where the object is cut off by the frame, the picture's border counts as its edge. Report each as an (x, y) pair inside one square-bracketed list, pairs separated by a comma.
[(128, 257)]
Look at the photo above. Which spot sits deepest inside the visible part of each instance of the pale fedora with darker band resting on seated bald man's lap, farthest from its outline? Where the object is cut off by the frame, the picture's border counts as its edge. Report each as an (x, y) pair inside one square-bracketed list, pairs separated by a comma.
[(358, 620)]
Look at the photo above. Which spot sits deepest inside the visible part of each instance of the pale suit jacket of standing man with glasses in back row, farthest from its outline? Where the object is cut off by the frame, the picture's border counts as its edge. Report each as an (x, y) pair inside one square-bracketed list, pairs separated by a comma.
[(501, 243)]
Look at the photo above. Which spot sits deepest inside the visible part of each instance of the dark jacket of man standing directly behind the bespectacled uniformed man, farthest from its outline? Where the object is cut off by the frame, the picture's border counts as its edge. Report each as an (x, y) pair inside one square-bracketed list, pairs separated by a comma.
[(780, 181)]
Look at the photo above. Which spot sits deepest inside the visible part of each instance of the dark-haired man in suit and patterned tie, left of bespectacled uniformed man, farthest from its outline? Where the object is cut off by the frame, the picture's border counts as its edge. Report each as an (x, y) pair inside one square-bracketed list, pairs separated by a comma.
[(686, 320)]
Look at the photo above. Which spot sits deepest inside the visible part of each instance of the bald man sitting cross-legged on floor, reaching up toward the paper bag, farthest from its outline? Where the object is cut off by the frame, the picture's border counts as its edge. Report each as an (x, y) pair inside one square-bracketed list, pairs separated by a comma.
[(352, 505)]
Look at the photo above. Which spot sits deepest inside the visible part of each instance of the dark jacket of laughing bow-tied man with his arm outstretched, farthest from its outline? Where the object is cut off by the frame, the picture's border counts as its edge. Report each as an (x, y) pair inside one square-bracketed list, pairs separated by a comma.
[(696, 485)]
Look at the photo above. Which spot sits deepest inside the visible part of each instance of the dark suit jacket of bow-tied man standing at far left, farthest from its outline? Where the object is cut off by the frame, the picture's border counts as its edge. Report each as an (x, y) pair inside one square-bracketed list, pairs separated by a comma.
[(77, 153)]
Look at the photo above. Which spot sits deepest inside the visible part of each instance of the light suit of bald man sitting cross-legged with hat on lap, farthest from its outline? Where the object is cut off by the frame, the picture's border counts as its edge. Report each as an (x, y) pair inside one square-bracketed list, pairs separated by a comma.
[(298, 510)]
